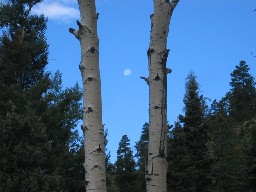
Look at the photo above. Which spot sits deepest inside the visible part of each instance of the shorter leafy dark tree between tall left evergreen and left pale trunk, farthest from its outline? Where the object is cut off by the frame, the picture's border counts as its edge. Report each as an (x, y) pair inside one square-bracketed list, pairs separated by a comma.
[(60, 114)]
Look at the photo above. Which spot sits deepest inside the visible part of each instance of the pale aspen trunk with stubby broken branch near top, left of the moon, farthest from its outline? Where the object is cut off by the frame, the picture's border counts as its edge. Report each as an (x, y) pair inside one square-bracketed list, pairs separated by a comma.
[(95, 172)]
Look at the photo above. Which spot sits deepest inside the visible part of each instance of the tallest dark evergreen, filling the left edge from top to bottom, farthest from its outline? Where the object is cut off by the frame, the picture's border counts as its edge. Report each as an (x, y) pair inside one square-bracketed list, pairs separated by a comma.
[(23, 57)]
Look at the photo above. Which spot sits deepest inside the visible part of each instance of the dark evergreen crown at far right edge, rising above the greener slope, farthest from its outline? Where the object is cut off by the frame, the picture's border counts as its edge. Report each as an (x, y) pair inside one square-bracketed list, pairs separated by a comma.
[(242, 94)]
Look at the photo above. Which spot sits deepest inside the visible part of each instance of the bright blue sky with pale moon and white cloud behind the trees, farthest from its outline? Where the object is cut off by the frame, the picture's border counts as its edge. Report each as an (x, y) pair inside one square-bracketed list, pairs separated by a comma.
[(208, 37)]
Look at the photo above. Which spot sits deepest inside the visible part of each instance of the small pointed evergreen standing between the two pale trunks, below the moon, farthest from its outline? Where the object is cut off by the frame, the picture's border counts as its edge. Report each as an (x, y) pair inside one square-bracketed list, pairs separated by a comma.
[(125, 167)]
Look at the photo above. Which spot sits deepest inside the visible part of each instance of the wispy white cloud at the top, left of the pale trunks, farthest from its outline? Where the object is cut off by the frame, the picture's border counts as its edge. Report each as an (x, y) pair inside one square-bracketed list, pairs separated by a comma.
[(60, 10)]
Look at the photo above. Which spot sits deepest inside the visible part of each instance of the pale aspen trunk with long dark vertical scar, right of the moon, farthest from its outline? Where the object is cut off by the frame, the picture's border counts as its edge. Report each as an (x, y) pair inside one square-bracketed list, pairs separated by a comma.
[(157, 56)]
